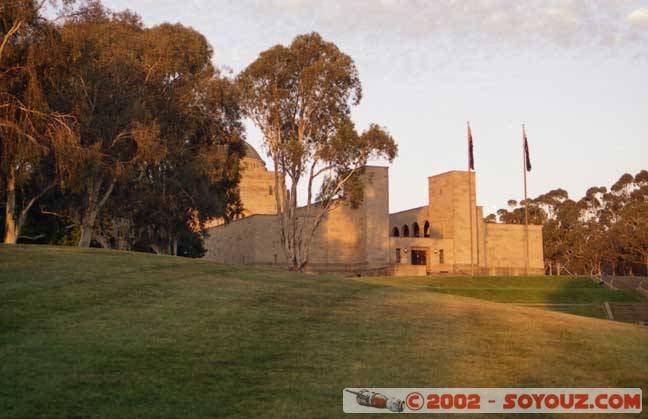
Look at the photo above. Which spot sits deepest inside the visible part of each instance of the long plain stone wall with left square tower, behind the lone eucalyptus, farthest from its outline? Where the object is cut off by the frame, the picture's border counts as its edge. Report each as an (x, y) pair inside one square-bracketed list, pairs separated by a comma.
[(348, 239)]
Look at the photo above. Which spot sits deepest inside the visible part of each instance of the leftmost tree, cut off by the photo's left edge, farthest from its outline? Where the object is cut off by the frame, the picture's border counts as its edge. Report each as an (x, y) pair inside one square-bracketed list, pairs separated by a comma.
[(34, 139)]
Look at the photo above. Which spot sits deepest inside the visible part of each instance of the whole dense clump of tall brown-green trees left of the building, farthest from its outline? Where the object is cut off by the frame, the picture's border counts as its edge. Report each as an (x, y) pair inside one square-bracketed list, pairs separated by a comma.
[(111, 133)]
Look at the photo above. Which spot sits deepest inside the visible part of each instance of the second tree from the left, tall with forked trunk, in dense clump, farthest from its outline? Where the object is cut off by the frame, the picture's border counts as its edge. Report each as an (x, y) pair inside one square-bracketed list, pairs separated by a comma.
[(104, 92)]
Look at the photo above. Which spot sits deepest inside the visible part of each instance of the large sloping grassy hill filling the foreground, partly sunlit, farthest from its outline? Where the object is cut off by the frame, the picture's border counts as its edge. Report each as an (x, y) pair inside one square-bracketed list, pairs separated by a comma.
[(94, 333)]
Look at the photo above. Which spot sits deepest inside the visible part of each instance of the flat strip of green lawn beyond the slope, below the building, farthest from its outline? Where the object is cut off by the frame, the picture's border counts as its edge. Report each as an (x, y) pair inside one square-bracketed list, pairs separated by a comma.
[(565, 294)]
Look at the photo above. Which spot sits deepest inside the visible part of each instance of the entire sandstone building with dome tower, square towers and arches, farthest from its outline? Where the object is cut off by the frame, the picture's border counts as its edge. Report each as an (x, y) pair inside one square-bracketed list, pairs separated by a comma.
[(435, 238)]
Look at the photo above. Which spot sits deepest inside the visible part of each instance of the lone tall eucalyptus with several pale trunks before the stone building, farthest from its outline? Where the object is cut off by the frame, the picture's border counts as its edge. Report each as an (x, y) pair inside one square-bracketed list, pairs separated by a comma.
[(300, 97)]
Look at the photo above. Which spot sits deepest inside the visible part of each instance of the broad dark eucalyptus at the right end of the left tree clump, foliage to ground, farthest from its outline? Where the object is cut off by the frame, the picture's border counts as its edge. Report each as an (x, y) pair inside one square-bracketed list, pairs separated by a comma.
[(199, 134)]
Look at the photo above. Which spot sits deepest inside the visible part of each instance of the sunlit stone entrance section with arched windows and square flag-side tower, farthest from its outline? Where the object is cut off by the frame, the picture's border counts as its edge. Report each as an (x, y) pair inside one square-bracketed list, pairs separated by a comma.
[(443, 232)]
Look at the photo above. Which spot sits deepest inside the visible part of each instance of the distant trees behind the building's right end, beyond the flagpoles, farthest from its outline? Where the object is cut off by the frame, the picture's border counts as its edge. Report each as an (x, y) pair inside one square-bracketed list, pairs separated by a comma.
[(606, 231)]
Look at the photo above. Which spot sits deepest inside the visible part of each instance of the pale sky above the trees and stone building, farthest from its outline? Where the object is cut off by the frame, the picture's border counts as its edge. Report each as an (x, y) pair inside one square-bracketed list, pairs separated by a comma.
[(574, 71)]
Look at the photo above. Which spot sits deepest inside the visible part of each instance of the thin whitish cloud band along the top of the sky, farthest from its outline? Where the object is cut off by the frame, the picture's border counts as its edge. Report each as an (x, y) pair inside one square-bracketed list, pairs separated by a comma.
[(562, 22)]
